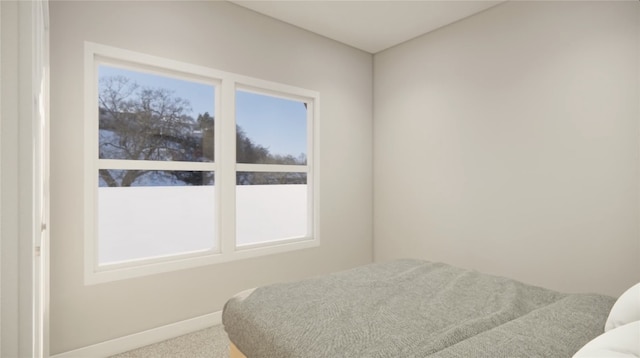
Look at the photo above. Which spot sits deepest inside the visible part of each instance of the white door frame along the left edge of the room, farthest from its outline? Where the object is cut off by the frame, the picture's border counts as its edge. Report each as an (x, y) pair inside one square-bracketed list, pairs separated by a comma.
[(24, 173)]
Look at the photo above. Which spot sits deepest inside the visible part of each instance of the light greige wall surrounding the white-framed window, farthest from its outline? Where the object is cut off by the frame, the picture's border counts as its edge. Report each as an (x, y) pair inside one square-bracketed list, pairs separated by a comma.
[(226, 37)]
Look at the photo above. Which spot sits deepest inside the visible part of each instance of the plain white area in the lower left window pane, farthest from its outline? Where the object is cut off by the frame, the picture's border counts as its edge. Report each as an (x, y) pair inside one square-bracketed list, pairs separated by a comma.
[(148, 221)]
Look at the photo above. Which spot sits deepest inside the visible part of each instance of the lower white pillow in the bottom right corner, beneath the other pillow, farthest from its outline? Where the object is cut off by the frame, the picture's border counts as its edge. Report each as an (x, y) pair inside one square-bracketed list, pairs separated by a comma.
[(623, 341)]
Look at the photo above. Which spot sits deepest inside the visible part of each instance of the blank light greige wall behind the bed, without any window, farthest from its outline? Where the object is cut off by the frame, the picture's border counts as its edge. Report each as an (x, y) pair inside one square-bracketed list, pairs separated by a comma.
[(508, 143)]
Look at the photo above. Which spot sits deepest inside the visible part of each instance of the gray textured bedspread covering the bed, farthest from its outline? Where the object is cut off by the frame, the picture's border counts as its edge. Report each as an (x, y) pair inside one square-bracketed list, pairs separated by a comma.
[(412, 308)]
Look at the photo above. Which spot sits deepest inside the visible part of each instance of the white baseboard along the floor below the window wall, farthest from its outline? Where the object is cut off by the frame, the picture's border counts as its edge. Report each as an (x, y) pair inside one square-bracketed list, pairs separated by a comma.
[(145, 338)]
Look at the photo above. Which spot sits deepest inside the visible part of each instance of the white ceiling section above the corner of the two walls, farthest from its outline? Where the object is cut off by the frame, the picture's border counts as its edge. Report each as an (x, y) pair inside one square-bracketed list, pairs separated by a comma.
[(371, 26)]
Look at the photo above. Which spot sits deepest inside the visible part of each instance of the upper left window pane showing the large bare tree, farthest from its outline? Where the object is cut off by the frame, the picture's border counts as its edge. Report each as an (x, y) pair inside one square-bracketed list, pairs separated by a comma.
[(153, 117)]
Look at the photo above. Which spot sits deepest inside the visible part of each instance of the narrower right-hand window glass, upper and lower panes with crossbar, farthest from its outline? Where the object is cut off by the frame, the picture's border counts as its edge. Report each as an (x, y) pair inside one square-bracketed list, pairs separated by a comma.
[(271, 181)]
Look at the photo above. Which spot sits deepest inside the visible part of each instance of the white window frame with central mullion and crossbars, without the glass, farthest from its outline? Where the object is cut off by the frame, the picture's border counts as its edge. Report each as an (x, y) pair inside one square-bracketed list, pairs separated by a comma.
[(224, 165)]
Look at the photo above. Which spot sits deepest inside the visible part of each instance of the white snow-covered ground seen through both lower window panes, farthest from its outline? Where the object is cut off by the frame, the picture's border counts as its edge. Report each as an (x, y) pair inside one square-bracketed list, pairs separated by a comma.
[(141, 222)]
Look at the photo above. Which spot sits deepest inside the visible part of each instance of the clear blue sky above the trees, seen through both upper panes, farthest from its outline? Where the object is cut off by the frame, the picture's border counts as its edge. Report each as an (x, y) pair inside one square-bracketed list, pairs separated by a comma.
[(275, 123)]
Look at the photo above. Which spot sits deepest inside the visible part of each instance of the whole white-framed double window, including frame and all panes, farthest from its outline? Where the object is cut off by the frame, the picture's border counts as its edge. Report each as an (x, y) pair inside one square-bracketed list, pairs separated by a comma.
[(189, 166)]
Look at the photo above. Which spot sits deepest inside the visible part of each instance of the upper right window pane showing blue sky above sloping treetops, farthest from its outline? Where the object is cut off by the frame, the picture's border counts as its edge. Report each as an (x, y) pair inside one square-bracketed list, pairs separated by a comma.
[(270, 130)]
